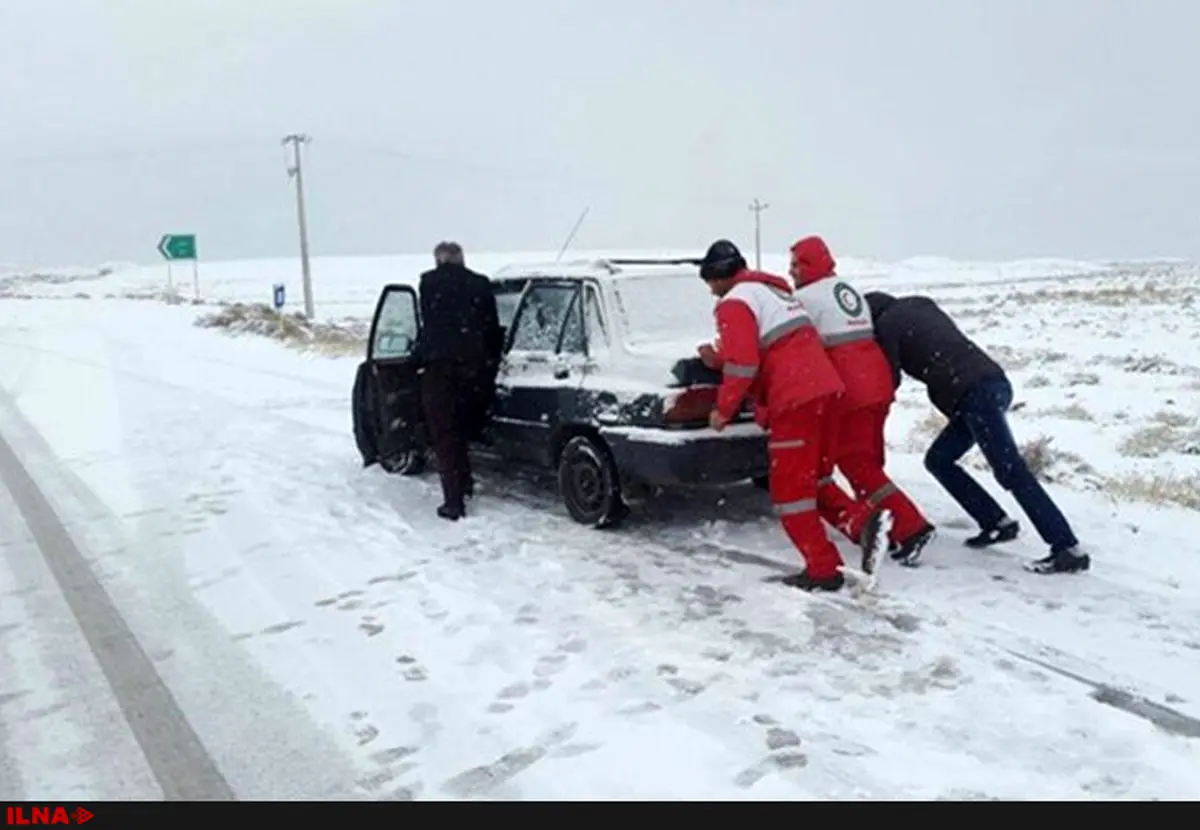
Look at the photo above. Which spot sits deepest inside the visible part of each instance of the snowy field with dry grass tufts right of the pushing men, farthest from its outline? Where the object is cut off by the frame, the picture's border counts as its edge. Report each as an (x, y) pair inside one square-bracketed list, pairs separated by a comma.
[(1130, 342)]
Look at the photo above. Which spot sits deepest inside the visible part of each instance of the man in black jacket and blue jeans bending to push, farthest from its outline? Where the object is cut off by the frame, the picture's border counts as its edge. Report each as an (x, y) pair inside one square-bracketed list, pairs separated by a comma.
[(975, 394)]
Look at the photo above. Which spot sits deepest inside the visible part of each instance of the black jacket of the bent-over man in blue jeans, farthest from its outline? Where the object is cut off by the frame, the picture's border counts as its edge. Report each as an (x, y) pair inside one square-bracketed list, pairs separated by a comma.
[(922, 340)]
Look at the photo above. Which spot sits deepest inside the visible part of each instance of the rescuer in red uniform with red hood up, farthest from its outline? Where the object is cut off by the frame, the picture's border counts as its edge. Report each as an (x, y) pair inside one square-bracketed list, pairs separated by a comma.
[(856, 430)]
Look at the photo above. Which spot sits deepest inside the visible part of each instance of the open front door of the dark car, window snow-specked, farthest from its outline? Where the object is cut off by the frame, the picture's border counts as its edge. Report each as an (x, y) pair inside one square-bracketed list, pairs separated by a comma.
[(388, 424)]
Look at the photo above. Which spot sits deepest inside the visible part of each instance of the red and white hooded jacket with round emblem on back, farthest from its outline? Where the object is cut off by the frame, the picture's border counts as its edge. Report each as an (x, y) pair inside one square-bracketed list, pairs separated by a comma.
[(844, 322)]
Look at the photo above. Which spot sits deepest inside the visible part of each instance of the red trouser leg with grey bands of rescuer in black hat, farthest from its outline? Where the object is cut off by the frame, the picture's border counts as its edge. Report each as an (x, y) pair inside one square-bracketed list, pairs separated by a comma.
[(796, 444)]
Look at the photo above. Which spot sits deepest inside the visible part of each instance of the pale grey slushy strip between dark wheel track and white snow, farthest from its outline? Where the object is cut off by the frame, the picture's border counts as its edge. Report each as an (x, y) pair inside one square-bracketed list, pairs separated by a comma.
[(268, 744)]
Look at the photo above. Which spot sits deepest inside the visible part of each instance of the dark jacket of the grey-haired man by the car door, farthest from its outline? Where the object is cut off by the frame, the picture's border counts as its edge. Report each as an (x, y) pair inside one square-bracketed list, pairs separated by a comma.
[(459, 317)]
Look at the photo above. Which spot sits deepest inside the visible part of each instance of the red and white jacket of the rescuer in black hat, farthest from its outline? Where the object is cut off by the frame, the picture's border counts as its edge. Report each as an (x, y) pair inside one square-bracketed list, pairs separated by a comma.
[(770, 350)]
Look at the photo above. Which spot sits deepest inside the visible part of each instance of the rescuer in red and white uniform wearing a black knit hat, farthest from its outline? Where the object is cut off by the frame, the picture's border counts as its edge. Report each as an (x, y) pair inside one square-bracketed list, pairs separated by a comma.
[(771, 352)]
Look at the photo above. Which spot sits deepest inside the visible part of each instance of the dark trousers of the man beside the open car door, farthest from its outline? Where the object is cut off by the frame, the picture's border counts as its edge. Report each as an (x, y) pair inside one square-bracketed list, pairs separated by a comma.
[(455, 396)]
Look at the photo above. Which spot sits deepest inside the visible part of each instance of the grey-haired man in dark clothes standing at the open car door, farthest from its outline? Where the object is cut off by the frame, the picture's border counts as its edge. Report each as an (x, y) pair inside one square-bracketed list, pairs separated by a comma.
[(460, 351)]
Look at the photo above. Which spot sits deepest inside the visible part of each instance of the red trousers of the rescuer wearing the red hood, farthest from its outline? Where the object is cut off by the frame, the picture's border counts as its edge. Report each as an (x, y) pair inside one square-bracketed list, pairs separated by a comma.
[(860, 455)]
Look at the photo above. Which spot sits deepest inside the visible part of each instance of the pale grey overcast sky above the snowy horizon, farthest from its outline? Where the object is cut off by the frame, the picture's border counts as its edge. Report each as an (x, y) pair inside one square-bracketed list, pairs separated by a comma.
[(969, 129)]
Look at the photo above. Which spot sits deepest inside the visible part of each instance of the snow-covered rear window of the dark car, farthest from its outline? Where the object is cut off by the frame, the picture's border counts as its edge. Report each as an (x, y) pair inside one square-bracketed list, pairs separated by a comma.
[(667, 309)]
